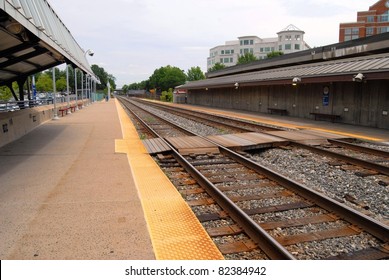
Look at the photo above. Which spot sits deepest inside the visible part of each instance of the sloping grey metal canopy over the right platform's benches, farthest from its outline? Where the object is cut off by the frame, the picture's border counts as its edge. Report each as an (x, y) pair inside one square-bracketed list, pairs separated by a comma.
[(373, 67)]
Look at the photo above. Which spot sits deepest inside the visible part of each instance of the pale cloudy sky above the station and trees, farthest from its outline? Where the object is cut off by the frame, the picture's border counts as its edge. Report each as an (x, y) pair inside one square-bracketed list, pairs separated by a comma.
[(132, 38)]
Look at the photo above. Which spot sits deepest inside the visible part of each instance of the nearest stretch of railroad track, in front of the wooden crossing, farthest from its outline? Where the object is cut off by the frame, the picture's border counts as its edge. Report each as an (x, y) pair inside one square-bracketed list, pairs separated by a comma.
[(250, 209)]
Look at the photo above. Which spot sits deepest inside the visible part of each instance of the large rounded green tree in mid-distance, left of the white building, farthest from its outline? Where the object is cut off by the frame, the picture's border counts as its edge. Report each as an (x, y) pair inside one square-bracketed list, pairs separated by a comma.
[(167, 77)]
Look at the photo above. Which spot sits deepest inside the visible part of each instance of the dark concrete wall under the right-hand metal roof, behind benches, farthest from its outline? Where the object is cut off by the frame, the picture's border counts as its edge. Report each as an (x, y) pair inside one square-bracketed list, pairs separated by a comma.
[(365, 104)]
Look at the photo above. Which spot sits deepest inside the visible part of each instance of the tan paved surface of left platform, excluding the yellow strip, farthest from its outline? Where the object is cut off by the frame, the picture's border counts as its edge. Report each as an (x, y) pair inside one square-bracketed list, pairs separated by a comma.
[(66, 194)]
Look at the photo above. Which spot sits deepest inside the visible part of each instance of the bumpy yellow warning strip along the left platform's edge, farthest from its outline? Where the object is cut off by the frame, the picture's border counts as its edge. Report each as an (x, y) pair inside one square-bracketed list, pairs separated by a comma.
[(175, 232)]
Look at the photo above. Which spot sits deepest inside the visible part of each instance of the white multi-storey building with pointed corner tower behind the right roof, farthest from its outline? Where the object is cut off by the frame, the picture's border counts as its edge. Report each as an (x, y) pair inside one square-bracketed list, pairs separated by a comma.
[(290, 39)]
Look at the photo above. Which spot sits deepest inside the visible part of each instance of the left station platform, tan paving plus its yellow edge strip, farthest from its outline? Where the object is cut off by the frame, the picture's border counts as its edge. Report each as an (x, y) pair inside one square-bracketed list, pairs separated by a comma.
[(83, 187)]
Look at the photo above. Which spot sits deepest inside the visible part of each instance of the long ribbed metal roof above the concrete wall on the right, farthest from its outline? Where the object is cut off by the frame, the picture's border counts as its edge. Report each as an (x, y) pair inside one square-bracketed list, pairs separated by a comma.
[(343, 67)]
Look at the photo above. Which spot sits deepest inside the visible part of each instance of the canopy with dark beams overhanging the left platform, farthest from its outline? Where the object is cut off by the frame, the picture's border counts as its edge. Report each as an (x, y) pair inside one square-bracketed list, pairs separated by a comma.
[(33, 39)]
